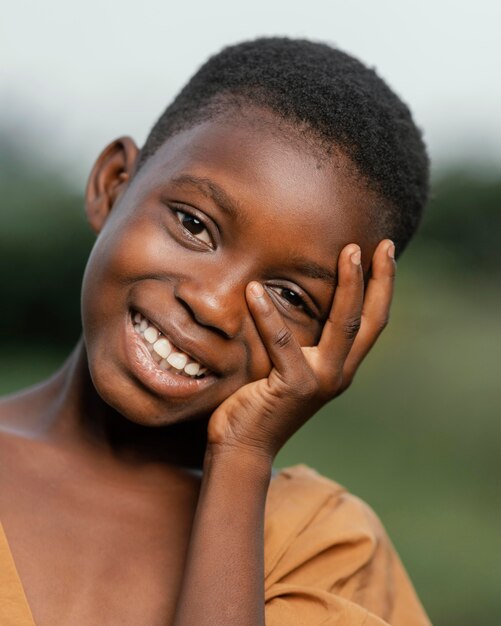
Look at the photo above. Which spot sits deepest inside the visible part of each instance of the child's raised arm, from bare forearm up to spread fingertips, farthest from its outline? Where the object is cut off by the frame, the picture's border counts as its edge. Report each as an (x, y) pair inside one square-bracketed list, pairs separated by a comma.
[(223, 583)]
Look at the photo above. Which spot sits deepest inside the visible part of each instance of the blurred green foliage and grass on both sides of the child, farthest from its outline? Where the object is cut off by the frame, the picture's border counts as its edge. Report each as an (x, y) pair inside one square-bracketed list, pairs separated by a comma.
[(417, 436)]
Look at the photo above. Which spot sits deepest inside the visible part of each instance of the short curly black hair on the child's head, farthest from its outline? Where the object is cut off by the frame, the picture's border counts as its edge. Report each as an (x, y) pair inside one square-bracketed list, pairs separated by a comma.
[(339, 100)]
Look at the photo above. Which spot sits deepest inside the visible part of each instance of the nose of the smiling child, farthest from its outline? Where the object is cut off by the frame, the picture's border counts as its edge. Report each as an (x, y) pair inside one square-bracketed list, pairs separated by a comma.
[(219, 305)]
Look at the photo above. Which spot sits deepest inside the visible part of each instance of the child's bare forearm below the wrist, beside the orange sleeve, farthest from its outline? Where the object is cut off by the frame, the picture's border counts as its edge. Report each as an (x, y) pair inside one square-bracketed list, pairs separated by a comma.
[(223, 583)]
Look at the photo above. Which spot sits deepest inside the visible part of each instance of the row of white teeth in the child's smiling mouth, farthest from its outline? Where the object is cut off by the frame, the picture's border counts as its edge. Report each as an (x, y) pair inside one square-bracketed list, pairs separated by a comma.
[(166, 355)]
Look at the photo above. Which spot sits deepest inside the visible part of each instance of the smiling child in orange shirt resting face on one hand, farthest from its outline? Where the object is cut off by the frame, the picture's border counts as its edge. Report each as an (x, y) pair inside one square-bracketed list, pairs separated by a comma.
[(243, 269)]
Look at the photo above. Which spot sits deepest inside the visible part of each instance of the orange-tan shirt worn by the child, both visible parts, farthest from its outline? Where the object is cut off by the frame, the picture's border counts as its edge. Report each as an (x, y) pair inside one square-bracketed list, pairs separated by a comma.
[(328, 562)]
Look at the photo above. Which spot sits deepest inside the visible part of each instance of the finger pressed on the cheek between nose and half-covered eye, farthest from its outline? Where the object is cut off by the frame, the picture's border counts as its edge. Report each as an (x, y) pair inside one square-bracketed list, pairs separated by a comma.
[(281, 345)]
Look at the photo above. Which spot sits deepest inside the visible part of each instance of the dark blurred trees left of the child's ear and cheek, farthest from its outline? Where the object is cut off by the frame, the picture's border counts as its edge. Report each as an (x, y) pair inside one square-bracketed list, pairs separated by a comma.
[(44, 244)]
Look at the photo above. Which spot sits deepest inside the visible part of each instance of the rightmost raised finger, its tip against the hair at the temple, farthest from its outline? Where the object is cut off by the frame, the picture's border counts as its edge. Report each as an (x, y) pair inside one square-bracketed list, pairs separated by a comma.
[(376, 307)]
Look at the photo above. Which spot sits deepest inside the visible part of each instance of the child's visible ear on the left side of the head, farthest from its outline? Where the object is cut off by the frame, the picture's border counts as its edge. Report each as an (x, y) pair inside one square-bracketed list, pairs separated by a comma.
[(109, 179)]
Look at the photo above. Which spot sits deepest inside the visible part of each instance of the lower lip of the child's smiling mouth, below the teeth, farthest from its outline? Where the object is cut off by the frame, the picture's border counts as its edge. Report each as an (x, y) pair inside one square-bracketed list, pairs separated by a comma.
[(163, 382)]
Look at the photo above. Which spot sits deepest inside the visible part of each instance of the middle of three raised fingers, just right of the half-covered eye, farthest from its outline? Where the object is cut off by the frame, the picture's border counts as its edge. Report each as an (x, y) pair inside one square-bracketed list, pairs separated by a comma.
[(343, 322)]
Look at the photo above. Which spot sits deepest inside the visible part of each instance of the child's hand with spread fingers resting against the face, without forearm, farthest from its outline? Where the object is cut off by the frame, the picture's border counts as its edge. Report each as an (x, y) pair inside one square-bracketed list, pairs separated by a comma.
[(261, 416)]
